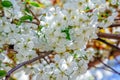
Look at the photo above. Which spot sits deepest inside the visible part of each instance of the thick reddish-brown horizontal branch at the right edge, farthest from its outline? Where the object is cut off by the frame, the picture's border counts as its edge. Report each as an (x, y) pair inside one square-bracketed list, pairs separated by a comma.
[(109, 36)]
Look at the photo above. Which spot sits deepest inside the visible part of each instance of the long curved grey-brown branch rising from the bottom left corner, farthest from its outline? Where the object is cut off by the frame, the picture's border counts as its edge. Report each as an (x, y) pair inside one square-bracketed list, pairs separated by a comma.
[(42, 55)]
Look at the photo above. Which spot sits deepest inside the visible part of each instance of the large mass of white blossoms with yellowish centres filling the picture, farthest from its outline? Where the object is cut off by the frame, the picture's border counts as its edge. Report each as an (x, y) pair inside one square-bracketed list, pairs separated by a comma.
[(64, 29)]
